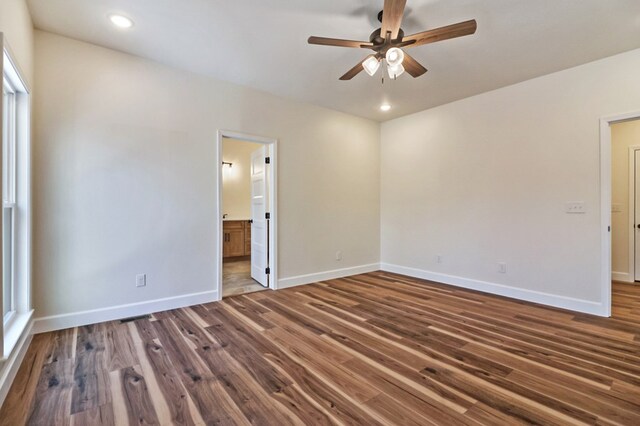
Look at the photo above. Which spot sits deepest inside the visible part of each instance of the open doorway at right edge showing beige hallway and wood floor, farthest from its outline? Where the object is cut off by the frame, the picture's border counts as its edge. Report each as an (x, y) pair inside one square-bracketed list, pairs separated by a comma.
[(625, 220)]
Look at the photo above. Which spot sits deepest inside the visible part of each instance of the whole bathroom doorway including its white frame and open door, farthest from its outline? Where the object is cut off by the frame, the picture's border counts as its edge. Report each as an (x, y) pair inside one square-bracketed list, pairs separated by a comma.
[(246, 214)]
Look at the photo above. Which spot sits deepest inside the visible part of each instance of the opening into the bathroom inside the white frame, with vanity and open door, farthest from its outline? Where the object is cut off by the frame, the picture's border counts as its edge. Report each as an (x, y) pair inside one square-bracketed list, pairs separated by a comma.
[(245, 226)]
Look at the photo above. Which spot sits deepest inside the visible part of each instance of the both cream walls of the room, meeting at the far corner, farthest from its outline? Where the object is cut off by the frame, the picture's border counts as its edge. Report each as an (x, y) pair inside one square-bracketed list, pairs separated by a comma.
[(125, 181)]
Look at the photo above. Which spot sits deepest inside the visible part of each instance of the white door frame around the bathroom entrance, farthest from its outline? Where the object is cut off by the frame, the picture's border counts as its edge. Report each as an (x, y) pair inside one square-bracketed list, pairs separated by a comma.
[(272, 205)]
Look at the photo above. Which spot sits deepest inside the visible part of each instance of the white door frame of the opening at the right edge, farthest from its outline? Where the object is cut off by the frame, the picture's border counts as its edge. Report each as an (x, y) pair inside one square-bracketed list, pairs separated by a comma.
[(605, 204)]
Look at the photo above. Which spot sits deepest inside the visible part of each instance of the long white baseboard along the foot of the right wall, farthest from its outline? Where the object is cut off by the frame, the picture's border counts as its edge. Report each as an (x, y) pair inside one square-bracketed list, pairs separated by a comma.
[(572, 304)]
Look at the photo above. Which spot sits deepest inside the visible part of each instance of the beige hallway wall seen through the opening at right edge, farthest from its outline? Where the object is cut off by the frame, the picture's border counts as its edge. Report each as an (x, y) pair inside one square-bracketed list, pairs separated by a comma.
[(623, 135)]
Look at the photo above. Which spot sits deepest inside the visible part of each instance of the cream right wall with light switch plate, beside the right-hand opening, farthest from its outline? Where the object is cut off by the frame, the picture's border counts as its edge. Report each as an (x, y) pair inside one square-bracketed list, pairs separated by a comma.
[(485, 180)]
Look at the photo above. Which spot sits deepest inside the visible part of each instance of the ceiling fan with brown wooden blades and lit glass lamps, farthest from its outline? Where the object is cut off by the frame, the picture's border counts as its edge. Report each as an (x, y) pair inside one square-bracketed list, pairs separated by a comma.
[(388, 41)]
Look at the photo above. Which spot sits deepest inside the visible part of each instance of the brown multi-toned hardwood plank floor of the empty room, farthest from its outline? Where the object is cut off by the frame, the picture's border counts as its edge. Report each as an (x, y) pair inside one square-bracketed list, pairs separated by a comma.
[(372, 349)]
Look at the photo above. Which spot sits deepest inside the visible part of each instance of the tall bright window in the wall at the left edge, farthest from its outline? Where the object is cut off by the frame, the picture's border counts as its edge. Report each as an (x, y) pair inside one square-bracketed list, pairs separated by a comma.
[(9, 125)]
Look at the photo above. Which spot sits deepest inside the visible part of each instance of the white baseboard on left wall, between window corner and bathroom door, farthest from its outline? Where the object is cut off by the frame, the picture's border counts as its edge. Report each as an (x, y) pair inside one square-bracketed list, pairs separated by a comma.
[(75, 319)]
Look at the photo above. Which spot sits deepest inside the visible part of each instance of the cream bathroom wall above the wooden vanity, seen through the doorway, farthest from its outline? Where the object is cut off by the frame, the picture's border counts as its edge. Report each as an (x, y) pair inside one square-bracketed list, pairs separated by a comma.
[(236, 180)]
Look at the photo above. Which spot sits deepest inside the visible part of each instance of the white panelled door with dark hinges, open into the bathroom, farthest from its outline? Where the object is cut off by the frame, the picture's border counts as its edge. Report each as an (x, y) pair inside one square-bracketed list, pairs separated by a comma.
[(259, 224)]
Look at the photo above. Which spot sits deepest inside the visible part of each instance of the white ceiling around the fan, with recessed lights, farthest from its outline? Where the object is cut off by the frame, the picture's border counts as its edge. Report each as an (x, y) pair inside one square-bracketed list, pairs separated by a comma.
[(263, 43)]
